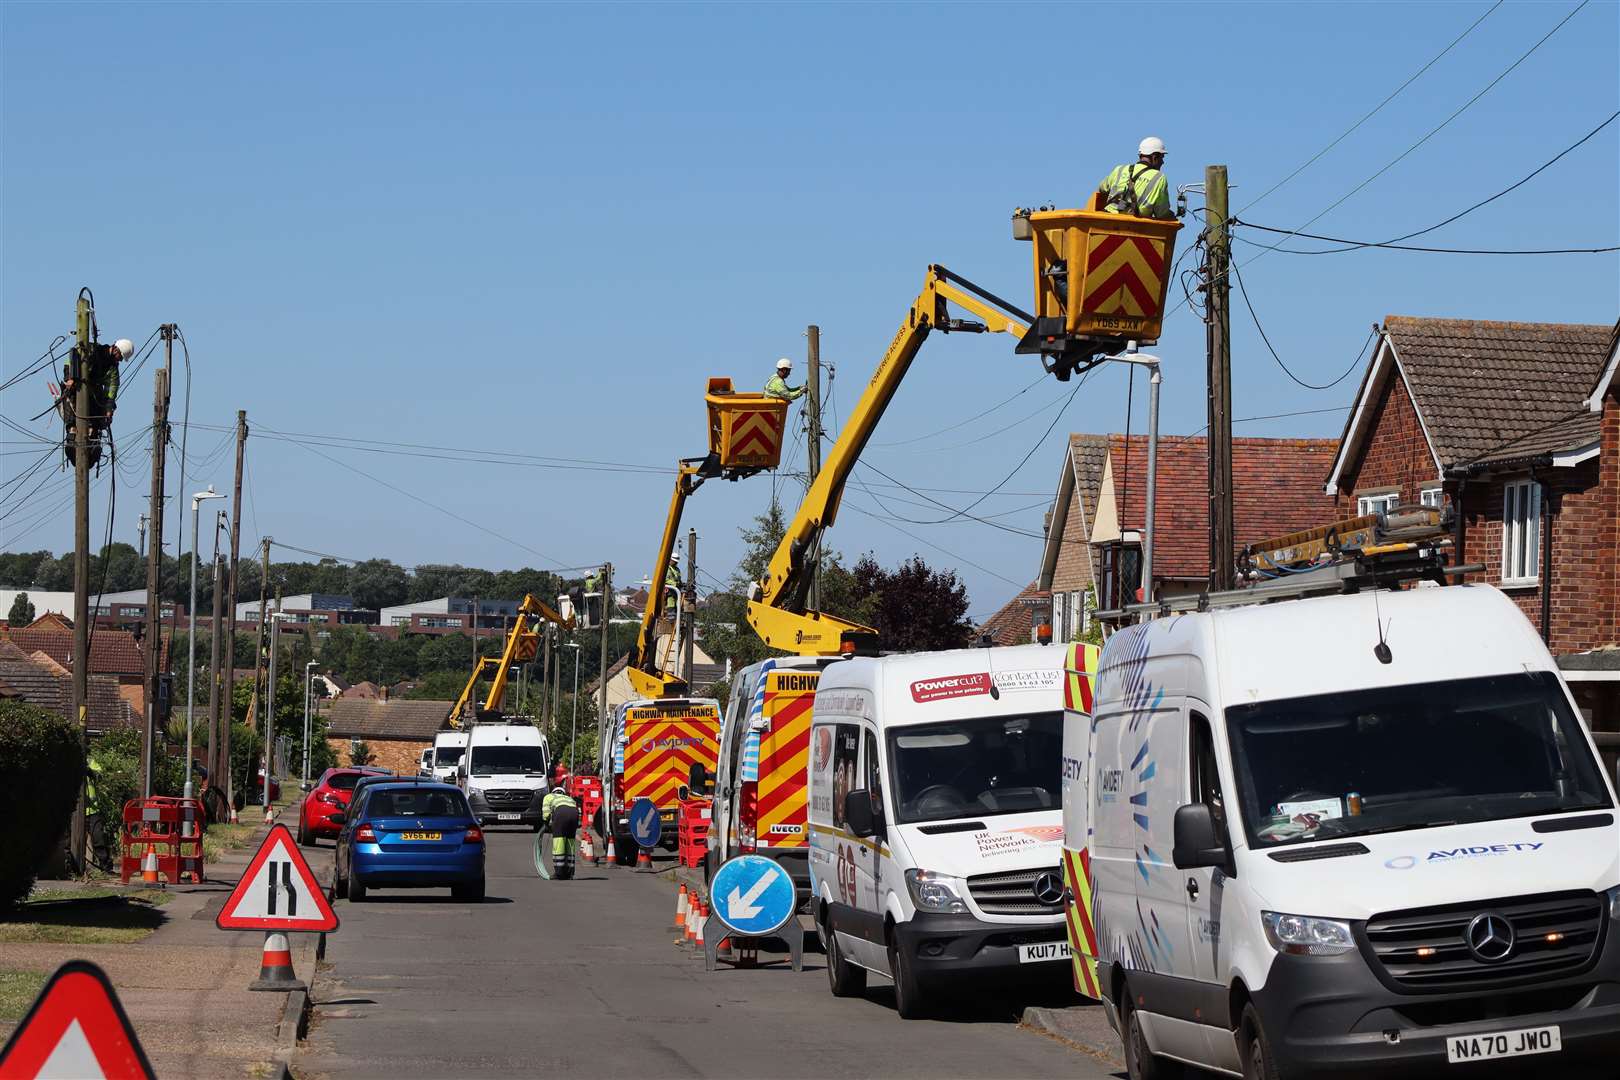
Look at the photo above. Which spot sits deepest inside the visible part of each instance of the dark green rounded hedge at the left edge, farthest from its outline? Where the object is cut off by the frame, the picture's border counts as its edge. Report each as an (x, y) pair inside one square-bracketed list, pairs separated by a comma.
[(41, 767)]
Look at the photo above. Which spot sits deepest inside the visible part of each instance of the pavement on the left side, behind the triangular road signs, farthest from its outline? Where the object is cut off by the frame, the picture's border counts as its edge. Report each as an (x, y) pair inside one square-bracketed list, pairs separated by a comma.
[(185, 987)]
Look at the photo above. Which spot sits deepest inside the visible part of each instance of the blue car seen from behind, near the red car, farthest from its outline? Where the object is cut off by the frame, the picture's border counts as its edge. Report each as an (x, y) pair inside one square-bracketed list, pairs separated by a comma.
[(411, 835)]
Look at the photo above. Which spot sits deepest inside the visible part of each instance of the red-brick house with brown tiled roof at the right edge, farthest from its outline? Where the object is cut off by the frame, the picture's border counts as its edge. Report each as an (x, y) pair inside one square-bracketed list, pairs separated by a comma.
[(1516, 425)]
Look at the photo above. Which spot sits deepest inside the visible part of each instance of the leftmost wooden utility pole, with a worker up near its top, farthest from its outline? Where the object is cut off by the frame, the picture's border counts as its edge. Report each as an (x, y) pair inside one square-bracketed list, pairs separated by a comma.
[(82, 556)]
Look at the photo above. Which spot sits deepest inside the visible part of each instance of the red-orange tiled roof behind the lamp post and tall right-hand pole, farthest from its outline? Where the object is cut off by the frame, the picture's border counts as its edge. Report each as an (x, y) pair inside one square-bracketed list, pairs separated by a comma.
[(1277, 488)]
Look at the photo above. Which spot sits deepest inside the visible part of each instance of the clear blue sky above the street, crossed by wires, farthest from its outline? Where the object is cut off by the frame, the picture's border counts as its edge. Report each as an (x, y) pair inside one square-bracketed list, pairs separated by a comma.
[(539, 229)]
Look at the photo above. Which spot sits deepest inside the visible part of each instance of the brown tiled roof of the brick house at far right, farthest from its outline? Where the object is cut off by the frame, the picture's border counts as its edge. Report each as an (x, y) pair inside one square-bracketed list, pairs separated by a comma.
[(1501, 391)]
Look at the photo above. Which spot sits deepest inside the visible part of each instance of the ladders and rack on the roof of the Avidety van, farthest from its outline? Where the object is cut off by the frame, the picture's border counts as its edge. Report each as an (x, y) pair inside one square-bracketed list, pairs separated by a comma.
[(1375, 551)]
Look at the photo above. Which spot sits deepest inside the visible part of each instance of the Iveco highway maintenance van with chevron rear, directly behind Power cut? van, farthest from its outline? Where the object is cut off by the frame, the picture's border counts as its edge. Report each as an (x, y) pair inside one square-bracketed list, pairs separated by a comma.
[(762, 793)]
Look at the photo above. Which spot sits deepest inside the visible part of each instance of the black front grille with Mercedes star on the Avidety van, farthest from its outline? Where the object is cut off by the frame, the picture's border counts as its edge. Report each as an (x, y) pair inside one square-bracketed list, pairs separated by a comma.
[(1546, 937)]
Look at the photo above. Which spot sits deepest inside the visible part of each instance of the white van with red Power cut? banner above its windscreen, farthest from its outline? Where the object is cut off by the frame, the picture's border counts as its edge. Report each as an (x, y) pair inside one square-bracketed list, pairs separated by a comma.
[(936, 817)]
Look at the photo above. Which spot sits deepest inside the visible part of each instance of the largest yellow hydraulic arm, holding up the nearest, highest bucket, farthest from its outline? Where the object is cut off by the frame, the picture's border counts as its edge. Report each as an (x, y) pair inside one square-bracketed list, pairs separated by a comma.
[(778, 608)]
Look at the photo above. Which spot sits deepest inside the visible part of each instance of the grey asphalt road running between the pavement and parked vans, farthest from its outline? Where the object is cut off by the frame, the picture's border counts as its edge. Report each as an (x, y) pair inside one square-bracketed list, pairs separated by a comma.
[(582, 979)]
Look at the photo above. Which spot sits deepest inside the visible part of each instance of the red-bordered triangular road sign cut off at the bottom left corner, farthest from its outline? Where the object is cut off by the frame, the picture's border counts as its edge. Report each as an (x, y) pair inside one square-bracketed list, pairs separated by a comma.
[(75, 1029)]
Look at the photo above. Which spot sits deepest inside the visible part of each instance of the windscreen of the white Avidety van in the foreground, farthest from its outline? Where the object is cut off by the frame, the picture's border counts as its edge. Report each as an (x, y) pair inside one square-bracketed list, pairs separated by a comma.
[(1413, 757)]
